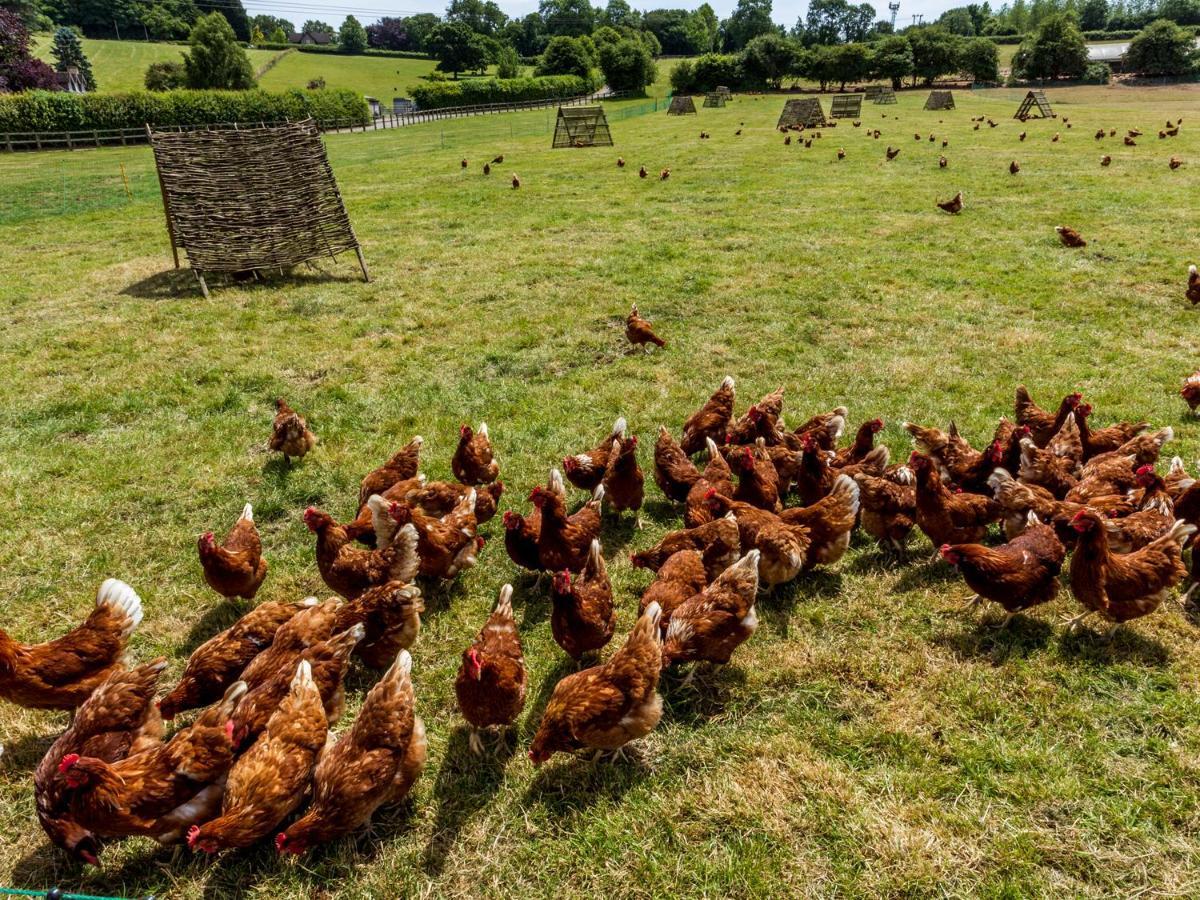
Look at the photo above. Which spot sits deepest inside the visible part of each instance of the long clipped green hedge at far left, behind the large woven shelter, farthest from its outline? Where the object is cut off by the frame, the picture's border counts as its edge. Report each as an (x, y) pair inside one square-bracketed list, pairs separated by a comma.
[(57, 111)]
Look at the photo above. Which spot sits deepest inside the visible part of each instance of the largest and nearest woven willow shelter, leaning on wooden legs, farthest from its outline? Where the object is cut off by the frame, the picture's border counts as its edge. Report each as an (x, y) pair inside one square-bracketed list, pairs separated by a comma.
[(245, 199)]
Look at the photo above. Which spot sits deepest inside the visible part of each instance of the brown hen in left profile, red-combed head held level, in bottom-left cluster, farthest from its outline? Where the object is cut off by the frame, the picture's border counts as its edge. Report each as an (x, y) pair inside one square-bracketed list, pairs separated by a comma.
[(145, 794)]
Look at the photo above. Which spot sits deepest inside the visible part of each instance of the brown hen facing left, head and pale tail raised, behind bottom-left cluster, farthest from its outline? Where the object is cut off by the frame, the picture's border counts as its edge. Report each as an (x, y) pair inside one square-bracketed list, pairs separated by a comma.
[(349, 571)]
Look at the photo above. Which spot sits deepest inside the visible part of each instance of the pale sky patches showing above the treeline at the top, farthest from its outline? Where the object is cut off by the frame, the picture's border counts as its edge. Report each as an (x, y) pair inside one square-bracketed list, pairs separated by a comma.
[(785, 11)]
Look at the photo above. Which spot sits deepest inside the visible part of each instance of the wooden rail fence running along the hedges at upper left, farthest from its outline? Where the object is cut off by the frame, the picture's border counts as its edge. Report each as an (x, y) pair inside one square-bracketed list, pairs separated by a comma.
[(124, 137)]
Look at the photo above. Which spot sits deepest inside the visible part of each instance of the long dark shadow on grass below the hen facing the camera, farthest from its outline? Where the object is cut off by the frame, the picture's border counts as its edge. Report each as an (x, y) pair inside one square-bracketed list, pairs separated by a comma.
[(466, 784)]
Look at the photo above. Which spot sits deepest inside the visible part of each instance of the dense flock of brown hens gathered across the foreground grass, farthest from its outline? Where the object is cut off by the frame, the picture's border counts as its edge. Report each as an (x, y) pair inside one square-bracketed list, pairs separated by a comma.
[(271, 687)]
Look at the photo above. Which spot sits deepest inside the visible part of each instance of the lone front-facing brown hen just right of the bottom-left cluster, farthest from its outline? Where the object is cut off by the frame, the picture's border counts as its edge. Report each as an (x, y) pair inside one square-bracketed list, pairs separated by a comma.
[(493, 680)]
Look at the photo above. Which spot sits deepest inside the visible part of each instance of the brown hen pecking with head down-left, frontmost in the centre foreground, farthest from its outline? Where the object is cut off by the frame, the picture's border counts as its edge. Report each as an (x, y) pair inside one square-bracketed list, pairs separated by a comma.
[(605, 707)]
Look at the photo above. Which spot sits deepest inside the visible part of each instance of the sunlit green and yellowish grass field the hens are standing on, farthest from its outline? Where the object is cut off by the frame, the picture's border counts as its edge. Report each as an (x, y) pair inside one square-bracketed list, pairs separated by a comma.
[(872, 740)]
